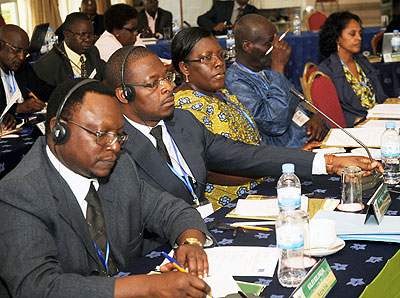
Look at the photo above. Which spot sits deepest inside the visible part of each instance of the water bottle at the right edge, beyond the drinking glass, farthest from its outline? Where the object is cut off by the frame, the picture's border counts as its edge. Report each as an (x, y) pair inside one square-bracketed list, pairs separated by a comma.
[(390, 152)]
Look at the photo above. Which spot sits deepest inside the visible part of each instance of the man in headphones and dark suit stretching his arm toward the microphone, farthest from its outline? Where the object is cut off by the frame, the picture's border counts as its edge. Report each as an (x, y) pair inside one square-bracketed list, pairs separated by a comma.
[(191, 147)]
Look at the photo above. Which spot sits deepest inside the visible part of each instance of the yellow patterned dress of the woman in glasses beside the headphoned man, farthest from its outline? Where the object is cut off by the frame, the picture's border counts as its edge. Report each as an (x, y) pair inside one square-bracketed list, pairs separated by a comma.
[(225, 119)]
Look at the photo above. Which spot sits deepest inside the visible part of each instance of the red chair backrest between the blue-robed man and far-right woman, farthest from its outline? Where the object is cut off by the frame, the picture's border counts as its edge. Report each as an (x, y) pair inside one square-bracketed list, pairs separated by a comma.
[(324, 96)]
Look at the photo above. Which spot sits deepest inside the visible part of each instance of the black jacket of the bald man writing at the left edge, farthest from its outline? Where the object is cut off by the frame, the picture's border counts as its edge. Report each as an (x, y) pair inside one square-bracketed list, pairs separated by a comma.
[(27, 78)]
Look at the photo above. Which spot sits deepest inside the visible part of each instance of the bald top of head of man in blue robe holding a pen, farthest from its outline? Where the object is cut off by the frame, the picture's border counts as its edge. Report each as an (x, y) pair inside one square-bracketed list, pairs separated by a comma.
[(252, 27)]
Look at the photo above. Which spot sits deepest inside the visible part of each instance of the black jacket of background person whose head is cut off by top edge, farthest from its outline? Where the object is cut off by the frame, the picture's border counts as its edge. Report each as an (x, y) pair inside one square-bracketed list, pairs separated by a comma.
[(221, 11)]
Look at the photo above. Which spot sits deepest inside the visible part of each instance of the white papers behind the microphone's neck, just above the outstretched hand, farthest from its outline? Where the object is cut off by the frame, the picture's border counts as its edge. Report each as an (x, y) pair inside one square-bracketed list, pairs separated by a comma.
[(370, 136)]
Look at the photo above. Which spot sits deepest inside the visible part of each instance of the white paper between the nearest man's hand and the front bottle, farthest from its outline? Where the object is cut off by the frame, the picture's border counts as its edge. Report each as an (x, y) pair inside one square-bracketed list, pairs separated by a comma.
[(242, 260)]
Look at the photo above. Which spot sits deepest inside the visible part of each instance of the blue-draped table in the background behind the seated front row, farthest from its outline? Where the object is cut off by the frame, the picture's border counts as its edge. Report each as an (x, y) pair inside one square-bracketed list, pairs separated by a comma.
[(304, 49)]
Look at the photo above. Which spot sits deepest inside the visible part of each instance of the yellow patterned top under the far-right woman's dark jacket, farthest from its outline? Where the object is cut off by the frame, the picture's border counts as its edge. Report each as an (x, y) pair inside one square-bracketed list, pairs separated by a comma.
[(361, 87)]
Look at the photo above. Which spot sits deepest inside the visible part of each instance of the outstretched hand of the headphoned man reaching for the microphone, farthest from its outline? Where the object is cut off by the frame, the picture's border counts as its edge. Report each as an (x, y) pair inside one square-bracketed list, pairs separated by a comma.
[(367, 167)]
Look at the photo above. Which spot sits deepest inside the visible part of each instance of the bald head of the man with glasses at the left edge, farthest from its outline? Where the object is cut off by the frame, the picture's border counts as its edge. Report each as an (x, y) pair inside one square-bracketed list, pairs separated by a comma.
[(14, 47)]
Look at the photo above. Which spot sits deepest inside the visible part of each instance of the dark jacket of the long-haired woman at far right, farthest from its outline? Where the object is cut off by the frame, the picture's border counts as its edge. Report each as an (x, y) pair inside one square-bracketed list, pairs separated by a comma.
[(349, 101)]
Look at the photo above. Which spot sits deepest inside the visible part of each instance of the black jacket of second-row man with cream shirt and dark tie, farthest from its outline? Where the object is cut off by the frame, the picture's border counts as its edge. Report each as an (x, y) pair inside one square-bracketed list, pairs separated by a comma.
[(55, 68)]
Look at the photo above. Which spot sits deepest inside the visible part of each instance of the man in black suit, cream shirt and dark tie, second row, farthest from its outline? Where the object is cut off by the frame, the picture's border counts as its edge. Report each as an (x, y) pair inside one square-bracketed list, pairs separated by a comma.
[(75, 57)]
